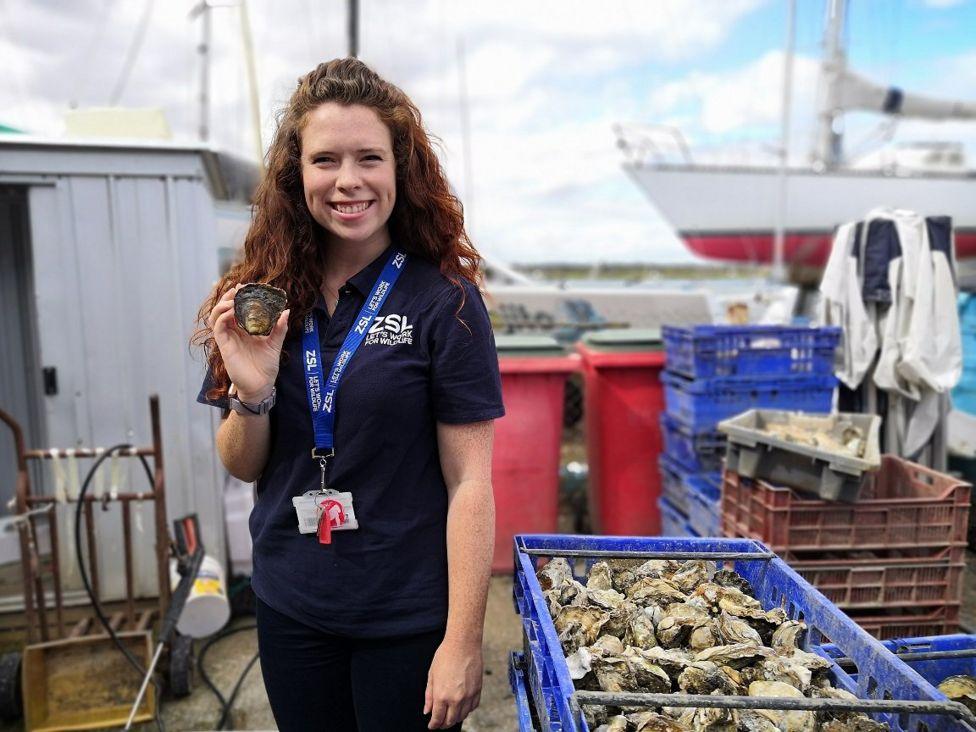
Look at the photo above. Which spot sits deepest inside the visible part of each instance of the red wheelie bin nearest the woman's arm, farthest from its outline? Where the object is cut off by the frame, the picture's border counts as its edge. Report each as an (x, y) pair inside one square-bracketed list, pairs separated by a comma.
[(525, 460)]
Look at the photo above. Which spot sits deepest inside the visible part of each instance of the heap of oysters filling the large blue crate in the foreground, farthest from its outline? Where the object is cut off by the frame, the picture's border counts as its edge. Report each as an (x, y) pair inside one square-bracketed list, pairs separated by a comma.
[(664, 626)]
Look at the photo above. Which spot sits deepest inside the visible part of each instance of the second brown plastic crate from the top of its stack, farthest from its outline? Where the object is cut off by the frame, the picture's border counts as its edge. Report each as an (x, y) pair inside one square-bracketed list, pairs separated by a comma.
[(886, 579)]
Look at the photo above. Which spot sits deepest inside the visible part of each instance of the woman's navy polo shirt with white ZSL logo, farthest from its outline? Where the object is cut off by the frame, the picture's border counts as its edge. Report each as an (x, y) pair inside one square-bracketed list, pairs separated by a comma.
[(422, 362)]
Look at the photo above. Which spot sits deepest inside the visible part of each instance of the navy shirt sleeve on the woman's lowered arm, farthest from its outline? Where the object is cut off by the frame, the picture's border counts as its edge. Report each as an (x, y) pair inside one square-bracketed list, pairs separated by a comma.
[(465, 383)]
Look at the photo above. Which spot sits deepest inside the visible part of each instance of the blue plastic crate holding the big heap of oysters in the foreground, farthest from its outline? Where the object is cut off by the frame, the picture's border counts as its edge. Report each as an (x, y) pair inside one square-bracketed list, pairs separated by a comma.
[(880, 674)]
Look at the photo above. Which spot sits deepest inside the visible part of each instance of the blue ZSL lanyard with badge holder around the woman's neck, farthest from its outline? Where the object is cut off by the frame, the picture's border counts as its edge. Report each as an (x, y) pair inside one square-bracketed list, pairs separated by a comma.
[(322, 510)]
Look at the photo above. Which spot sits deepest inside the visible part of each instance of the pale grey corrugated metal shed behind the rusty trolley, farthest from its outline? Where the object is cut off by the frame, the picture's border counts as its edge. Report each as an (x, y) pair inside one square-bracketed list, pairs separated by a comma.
[(122, 243)]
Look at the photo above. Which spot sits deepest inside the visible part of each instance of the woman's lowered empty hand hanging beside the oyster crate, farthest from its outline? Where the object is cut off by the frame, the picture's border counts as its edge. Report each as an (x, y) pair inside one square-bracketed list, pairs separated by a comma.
[(453, 683)]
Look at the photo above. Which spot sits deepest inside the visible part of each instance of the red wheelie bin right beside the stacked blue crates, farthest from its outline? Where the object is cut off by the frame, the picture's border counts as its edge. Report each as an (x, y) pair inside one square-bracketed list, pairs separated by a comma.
[(622, 404)]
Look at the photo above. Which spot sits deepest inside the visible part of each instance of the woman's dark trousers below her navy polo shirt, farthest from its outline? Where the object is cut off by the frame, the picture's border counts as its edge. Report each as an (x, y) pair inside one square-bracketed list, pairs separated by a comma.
[(318, 682)]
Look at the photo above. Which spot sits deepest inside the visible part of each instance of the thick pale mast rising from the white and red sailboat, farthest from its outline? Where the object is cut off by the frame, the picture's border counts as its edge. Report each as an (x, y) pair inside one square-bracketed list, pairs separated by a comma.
[(829, 150)]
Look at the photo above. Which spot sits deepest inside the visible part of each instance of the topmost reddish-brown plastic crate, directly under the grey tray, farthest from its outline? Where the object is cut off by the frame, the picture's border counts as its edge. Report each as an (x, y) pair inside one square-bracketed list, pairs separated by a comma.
[(903, 505)]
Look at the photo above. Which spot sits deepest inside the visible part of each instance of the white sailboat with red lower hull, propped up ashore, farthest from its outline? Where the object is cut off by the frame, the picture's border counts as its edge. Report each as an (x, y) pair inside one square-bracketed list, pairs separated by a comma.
[(739, 221)]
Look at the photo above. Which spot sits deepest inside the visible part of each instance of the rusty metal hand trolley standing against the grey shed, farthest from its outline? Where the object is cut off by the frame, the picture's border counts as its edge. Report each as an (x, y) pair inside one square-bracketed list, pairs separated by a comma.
[(55, 641)]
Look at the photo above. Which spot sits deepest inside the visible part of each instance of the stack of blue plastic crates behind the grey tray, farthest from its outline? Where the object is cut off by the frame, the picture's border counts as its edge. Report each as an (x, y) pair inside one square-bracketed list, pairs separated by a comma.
[(715, 372)]
